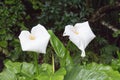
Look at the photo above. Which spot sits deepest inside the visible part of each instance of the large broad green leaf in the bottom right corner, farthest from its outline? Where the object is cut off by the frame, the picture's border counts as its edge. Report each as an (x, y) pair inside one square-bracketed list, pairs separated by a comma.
[(92, 71)]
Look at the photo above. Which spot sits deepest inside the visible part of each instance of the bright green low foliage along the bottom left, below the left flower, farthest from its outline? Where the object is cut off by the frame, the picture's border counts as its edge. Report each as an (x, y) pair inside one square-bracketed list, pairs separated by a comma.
[(27, 71)]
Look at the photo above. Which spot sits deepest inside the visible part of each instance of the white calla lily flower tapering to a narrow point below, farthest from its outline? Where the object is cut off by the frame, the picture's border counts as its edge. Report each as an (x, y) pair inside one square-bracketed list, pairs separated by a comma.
[(80, 34)]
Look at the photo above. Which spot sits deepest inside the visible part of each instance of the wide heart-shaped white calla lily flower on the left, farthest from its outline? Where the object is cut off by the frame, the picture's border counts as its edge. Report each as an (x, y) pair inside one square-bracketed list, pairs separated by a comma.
[(35, 41)]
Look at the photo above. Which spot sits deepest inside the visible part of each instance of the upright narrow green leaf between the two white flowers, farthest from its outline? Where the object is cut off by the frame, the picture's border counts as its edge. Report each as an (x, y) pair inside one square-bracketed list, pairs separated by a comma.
[(60, 50)]
